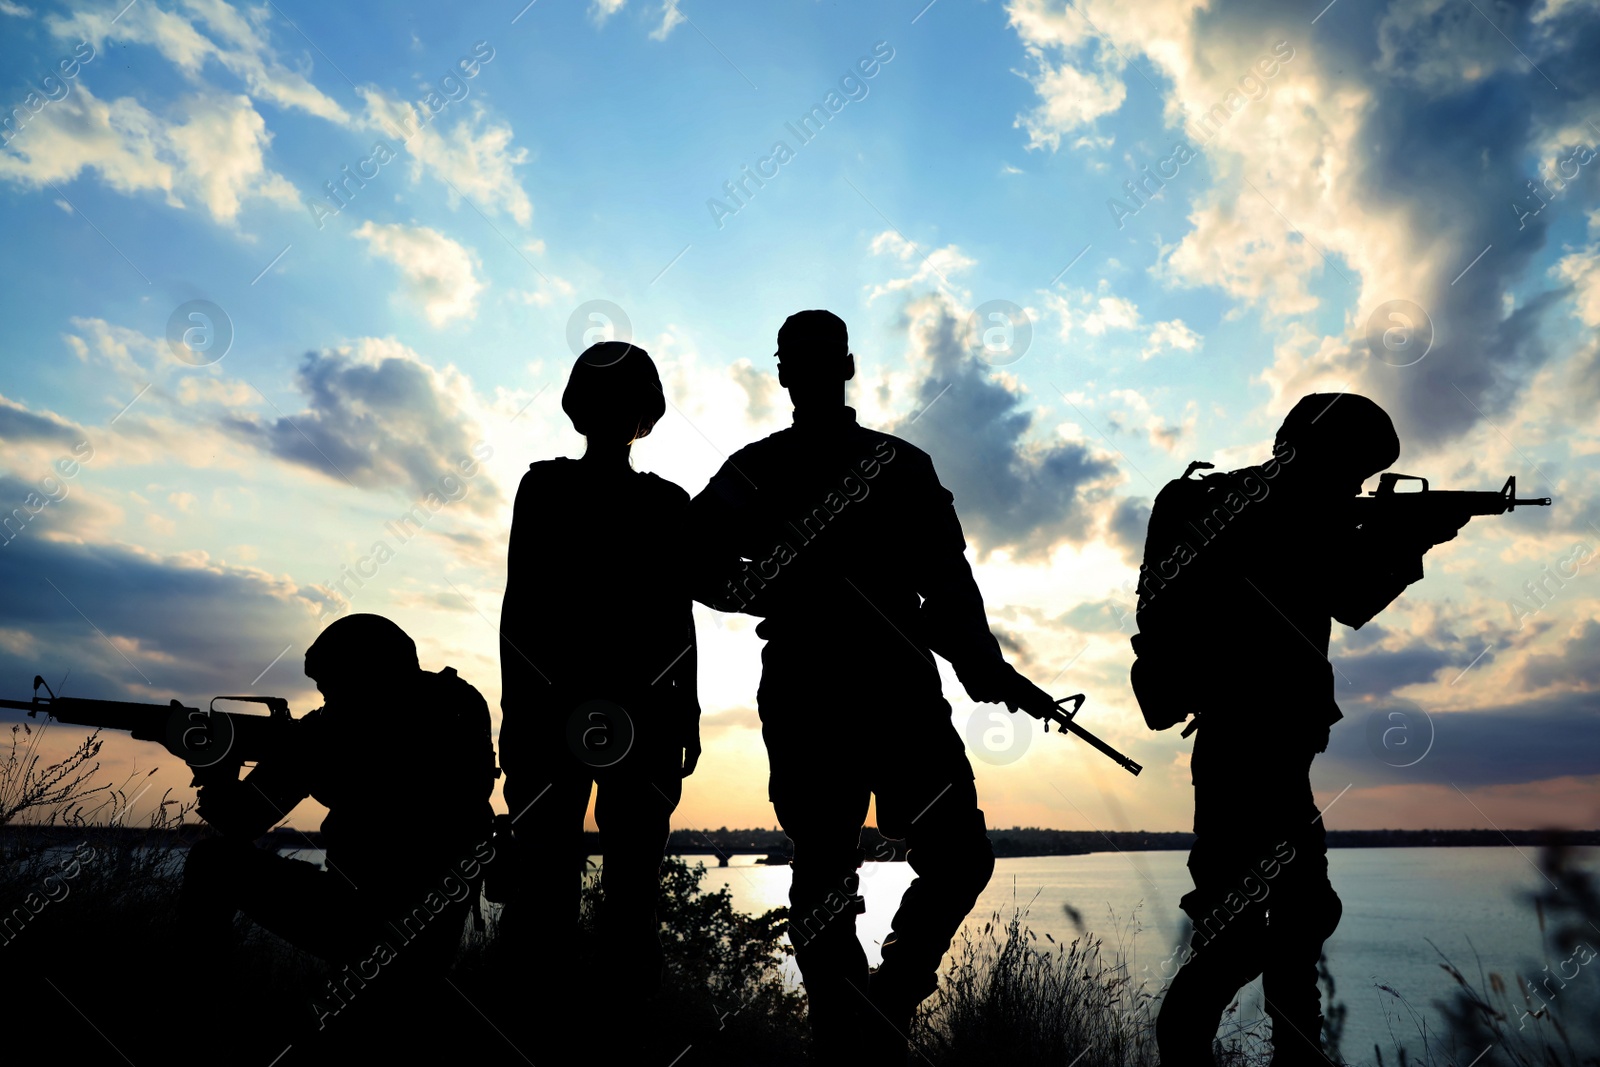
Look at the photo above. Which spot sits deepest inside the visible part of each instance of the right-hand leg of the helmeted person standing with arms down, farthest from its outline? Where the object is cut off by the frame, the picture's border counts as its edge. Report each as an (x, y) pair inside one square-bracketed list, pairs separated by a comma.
[(634, 810)]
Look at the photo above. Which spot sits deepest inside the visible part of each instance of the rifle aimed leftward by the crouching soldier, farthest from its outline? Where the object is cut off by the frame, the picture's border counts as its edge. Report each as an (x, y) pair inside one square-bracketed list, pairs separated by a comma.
[(215, 745)]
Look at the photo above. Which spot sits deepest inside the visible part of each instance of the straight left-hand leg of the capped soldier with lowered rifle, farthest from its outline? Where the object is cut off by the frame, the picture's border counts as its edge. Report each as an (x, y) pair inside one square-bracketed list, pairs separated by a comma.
[(822, 805)]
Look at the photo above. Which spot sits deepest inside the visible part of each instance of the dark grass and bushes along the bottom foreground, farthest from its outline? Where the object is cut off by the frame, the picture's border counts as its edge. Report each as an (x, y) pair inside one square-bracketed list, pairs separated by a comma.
[(87, 938)]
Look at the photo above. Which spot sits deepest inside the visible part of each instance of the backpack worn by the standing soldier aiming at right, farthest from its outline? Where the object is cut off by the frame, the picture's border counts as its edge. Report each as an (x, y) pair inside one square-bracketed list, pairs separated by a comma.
[(1172, 607)]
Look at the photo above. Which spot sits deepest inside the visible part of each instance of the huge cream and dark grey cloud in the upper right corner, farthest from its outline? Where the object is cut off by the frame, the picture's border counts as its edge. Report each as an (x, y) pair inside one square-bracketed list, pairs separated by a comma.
[(1369, 194)]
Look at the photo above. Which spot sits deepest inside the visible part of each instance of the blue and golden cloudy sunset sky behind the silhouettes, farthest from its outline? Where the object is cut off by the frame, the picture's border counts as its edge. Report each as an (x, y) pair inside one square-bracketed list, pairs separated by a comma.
[(281, 276)]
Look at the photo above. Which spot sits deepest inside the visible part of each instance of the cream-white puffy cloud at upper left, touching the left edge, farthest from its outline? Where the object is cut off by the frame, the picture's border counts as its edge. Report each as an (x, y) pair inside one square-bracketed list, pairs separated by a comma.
[(212, 151)]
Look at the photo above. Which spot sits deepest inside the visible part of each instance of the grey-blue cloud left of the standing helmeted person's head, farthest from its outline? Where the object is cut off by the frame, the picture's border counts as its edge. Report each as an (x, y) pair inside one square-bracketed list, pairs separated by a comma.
[(382, 418)]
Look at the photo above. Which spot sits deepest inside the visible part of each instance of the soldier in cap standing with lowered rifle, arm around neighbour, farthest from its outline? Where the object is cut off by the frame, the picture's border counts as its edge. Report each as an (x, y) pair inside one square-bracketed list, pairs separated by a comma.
[(850, 548)]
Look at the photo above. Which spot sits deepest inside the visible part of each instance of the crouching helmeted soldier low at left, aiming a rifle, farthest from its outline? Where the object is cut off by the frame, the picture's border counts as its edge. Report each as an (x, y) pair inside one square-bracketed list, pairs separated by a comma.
[(402, 865)]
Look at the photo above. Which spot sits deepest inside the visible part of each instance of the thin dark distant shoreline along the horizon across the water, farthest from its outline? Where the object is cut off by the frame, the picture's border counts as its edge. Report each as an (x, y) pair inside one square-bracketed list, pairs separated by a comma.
[(1009, 844)]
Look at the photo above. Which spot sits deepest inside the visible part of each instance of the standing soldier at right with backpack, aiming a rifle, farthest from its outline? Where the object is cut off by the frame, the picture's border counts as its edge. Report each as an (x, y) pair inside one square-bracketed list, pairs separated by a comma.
[(1270, 577)]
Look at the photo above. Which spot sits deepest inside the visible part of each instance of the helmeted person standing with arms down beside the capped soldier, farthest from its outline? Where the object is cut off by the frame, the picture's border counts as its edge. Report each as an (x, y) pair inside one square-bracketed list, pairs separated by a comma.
[(598, 668)]
